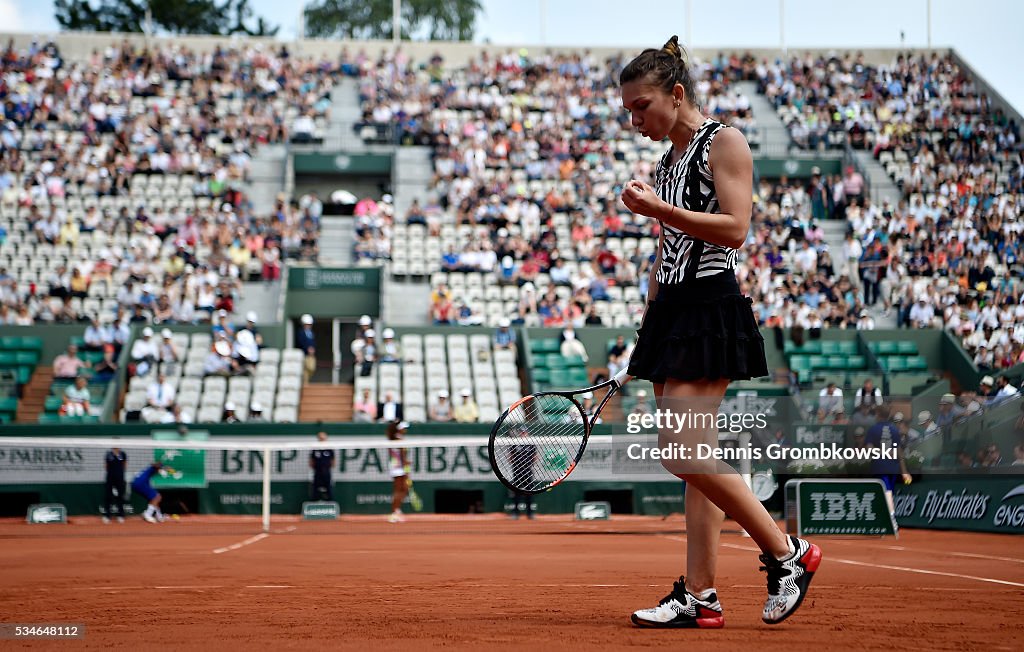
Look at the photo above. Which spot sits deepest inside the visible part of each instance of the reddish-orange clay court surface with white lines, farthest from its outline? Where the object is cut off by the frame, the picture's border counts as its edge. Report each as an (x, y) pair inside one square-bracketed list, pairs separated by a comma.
[(486, 583)]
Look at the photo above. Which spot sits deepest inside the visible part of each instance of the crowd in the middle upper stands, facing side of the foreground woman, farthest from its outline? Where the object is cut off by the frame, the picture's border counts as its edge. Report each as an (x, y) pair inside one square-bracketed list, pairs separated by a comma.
[(521, 145)]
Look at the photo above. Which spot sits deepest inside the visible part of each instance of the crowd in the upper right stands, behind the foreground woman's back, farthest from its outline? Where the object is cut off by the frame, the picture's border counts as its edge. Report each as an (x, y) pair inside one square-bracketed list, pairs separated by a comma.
[(947, 252)]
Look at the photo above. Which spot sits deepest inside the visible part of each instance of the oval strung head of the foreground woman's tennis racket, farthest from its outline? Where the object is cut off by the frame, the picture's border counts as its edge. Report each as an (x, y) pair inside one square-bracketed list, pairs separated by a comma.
[(538, 443)]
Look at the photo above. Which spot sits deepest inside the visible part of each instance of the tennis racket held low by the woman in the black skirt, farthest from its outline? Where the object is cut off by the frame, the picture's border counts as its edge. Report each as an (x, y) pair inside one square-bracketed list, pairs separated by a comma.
[(539, 441)]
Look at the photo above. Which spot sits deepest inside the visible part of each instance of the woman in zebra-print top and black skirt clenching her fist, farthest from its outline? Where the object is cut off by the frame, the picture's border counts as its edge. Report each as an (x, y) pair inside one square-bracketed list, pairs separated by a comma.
[(699, 332)]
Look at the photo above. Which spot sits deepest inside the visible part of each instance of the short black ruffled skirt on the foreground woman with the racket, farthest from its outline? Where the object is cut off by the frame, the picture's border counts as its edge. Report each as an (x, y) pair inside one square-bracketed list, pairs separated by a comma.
[(704, 329)]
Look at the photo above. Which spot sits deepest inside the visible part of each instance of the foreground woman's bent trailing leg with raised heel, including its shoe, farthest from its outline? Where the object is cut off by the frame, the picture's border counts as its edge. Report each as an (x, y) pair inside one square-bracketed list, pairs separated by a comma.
[(789, 561)]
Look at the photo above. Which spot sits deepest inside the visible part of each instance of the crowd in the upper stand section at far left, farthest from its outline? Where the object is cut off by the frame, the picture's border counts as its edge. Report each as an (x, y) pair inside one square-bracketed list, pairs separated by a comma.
[(126, 173)]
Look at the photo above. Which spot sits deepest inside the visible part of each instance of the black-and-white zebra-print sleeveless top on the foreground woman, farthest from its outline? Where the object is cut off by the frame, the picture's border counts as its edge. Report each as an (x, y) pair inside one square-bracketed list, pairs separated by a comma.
[(689, 184)]
